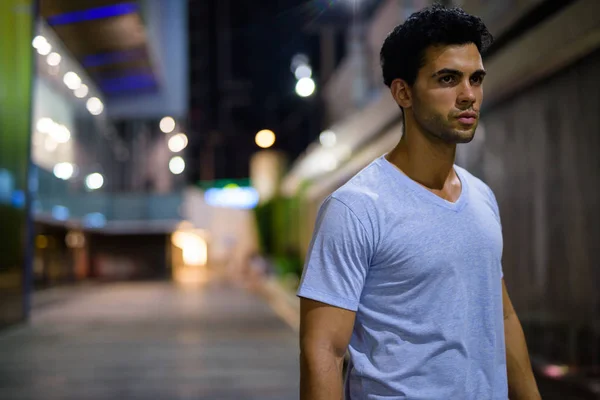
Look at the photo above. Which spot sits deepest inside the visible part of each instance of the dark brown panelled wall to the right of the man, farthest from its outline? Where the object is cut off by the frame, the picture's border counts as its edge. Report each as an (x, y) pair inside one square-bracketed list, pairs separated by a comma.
[(541, 158)]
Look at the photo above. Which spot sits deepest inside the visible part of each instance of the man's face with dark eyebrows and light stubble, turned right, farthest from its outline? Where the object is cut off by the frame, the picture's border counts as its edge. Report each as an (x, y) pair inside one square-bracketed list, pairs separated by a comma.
[(447, 94)]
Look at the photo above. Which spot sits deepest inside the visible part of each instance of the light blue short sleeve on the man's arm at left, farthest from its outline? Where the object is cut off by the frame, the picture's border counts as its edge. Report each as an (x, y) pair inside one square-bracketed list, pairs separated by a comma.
[(338, 258)]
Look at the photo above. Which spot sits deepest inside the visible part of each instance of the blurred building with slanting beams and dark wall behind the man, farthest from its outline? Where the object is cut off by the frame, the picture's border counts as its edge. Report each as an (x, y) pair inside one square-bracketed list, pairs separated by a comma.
[(536, 147)]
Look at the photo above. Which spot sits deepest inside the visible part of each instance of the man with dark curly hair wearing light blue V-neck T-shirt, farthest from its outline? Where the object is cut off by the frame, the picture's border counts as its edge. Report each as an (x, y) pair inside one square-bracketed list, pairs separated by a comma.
[(404, 268)]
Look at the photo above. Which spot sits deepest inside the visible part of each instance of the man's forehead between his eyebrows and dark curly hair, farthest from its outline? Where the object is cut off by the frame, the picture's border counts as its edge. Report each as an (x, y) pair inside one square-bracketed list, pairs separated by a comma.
[(465, 58)]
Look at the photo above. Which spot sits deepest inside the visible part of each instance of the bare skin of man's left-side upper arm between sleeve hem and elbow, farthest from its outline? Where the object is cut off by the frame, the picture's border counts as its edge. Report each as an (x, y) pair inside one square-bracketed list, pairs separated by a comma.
[(324, 327)]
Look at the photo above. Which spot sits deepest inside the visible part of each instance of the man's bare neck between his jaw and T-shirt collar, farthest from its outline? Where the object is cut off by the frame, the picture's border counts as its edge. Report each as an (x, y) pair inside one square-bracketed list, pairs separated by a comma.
[(424, 158)]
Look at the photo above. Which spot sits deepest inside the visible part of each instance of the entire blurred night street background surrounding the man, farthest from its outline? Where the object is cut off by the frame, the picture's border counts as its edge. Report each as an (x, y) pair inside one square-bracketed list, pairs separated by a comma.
[(162, 163)]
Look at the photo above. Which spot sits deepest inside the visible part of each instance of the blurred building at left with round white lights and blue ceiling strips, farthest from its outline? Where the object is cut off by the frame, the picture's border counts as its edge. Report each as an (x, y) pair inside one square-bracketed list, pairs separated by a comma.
[(93, 141)]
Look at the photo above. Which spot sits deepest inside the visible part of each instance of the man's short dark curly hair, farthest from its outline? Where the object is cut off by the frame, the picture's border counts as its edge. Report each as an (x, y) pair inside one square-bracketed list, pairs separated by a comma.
[(403, 51)]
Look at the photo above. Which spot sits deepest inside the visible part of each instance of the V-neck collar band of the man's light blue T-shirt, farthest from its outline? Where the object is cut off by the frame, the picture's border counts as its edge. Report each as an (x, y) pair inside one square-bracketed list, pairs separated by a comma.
[(400, 177)]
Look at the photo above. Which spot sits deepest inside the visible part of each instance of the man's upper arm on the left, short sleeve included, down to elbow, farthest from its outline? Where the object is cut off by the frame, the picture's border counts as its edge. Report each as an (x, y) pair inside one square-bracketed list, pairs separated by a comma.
[(334, 275)]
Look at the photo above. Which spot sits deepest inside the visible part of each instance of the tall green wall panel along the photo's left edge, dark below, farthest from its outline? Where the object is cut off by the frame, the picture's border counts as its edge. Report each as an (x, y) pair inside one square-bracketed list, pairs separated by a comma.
[(15, 110)]
